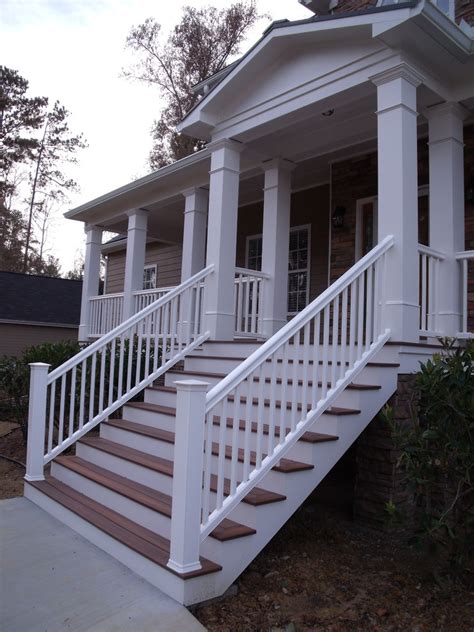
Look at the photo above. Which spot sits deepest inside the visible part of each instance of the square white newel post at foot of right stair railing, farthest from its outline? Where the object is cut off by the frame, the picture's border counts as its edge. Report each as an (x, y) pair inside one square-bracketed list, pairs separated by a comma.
[(187, 476)]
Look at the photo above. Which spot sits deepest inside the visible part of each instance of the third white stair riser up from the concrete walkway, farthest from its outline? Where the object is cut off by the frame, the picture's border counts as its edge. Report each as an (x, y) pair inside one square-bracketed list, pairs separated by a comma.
[(130, 470)]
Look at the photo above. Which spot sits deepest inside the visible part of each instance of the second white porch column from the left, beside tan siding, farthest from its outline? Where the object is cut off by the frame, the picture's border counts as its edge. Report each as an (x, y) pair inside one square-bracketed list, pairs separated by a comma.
[(135, 259)]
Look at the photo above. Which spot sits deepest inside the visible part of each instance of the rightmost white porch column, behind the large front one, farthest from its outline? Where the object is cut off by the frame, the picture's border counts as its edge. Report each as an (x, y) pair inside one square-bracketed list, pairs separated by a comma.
[(446, 160)]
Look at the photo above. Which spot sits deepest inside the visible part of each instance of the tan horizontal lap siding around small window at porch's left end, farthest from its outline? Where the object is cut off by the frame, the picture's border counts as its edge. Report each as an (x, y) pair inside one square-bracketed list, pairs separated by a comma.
[(167, 258)]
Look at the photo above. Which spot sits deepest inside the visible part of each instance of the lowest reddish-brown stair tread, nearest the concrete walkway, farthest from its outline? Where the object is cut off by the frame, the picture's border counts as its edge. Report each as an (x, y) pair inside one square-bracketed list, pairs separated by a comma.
[(143, 541)]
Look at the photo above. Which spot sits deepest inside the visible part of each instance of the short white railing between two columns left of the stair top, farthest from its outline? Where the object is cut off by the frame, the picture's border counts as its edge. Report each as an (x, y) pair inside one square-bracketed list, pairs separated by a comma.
[(248, 301)]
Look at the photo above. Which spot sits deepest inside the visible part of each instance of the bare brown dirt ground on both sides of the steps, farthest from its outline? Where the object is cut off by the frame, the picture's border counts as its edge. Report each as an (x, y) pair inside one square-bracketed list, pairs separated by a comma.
[(322, 572)]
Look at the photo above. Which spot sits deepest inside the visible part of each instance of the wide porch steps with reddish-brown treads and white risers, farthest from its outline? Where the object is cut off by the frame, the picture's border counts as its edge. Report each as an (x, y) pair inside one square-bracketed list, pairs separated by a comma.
[(116, 490)]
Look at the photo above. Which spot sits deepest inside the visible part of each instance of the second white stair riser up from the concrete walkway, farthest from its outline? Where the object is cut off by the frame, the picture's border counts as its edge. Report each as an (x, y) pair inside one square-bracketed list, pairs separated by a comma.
[(123, 505)]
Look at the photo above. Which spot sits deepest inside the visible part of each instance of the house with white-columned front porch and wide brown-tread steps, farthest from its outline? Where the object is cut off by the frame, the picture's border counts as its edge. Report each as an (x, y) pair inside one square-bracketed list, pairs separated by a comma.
[(317, 246)]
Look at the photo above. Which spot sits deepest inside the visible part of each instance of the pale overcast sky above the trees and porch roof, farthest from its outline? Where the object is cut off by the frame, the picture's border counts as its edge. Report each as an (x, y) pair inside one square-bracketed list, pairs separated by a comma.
[(73, 51)]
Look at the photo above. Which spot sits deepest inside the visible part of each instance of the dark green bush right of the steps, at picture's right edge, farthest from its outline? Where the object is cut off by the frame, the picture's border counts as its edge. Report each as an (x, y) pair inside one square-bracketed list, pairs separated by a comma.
[(437, 454)]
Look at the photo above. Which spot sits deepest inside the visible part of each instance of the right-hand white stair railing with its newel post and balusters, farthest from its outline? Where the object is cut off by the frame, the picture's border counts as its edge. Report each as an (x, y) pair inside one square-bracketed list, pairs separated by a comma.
[(304, 367)]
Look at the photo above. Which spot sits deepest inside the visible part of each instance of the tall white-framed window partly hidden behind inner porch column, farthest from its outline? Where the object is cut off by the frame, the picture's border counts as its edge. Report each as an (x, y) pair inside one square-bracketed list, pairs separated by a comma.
[(298, 265)]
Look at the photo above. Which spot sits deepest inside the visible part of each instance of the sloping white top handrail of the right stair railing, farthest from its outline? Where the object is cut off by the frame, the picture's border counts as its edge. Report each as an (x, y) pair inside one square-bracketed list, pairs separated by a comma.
[(222, 388)]
